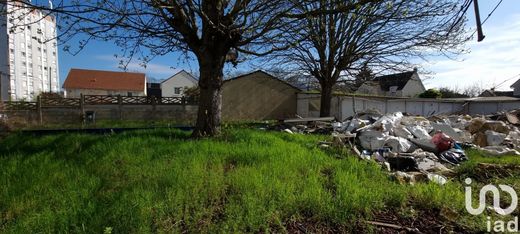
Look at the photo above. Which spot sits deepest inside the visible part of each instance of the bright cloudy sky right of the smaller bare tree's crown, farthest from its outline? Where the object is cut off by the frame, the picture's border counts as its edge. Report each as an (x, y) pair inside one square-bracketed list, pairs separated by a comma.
[(493, 62)]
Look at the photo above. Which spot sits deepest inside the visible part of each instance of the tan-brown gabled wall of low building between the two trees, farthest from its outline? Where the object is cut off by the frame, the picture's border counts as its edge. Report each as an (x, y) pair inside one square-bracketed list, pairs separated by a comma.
[(257, 96)]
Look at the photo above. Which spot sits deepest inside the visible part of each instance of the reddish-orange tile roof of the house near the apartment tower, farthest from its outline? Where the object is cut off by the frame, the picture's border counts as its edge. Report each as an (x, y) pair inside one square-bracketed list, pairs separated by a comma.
[(104, 80)]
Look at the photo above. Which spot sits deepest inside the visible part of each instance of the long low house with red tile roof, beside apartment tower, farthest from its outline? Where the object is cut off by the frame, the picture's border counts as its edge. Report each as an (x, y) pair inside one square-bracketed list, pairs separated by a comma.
[(96, 82)]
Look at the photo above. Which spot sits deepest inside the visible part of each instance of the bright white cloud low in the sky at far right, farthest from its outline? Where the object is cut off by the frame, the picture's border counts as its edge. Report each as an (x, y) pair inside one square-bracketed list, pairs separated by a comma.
[(490, 63)]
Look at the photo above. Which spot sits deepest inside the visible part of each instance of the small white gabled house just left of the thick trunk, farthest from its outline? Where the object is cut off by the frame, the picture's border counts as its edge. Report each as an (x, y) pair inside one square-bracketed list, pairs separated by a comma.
[(180, 80)]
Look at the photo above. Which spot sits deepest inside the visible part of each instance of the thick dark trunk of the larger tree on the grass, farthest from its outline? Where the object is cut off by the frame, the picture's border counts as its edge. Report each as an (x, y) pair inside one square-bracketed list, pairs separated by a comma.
[(210, 100)]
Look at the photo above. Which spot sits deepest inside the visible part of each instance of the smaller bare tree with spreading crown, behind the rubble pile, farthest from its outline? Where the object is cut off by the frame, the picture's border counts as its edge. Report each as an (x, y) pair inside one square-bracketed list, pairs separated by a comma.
[(383, 34)]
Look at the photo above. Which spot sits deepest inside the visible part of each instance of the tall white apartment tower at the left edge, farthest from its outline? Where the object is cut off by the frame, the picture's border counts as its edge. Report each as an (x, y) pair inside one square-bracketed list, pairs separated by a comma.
[(28, 52)]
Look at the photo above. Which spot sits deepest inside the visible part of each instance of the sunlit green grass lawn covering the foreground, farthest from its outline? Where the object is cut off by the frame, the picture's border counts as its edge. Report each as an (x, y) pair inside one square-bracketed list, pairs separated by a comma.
[(247, 180)]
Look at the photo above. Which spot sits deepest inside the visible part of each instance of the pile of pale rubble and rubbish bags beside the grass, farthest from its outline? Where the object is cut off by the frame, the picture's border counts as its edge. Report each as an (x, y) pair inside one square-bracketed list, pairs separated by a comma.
[(414, 147)]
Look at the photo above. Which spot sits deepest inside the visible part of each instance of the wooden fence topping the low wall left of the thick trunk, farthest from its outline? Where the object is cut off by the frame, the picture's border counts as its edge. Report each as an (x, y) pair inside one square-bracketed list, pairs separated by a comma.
[(45, 102)]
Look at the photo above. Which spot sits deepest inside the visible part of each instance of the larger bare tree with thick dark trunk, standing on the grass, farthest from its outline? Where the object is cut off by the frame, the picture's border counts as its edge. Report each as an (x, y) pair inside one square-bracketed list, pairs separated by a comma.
[(206, 29)]
